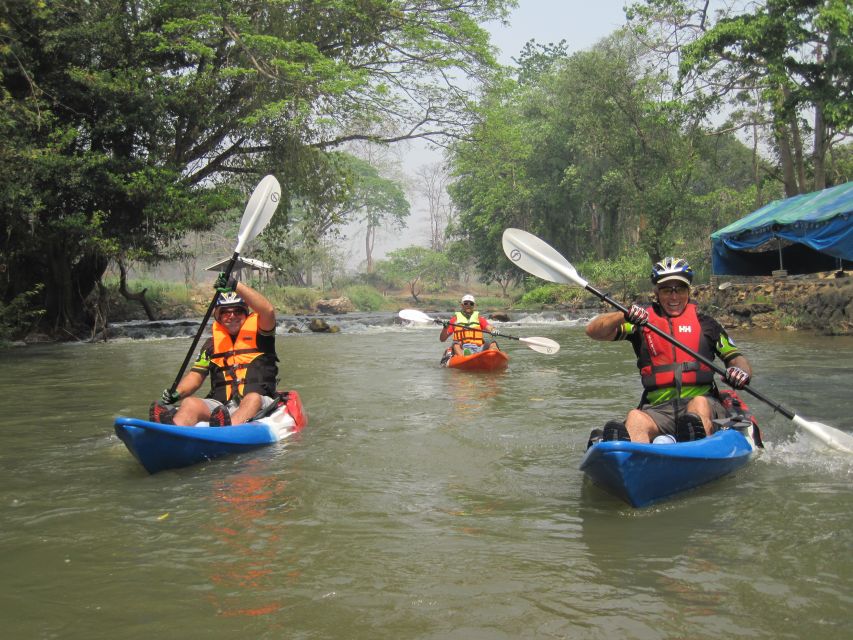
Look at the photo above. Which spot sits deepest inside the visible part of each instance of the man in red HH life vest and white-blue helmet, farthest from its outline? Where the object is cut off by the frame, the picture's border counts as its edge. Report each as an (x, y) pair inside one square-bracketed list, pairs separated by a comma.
[(680, 397)]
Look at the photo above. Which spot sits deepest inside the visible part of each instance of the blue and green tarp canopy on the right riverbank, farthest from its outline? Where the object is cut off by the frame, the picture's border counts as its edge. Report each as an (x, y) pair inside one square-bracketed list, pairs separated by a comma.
[(804, 234)]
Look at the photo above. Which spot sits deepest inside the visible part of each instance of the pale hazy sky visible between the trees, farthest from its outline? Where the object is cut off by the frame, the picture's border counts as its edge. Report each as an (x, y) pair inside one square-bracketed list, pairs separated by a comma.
[(581, 23)]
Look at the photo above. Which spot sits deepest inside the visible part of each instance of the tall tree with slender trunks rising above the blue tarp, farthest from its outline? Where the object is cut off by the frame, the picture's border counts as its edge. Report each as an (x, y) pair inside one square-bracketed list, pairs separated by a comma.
[(782, 68)]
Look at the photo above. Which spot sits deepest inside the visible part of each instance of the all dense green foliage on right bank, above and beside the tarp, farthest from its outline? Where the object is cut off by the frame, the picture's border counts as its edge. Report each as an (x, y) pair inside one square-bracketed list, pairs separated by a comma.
[(624, 146)]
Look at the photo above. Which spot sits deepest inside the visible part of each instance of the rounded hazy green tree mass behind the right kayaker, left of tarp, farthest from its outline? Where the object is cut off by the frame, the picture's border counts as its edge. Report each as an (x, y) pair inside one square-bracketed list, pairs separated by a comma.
[(591, 152)]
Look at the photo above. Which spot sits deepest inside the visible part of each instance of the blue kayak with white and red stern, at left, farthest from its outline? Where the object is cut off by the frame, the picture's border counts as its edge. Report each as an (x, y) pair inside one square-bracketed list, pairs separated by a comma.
[(163, 446)]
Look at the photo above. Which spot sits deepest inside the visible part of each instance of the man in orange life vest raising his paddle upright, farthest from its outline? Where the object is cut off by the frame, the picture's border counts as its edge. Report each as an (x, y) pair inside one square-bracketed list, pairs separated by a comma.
[(239, 358)]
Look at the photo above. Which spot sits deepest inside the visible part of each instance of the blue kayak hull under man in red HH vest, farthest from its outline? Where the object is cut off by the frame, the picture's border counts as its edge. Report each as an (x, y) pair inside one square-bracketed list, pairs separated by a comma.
[(641, 473)]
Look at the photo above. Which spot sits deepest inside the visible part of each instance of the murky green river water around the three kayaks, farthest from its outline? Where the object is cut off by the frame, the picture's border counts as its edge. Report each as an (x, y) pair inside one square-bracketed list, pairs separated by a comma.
[(419, 502)]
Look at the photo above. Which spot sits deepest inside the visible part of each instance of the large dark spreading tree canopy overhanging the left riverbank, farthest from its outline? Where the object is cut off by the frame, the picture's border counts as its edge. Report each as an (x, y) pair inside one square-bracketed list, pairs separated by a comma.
[(126, 123)]
